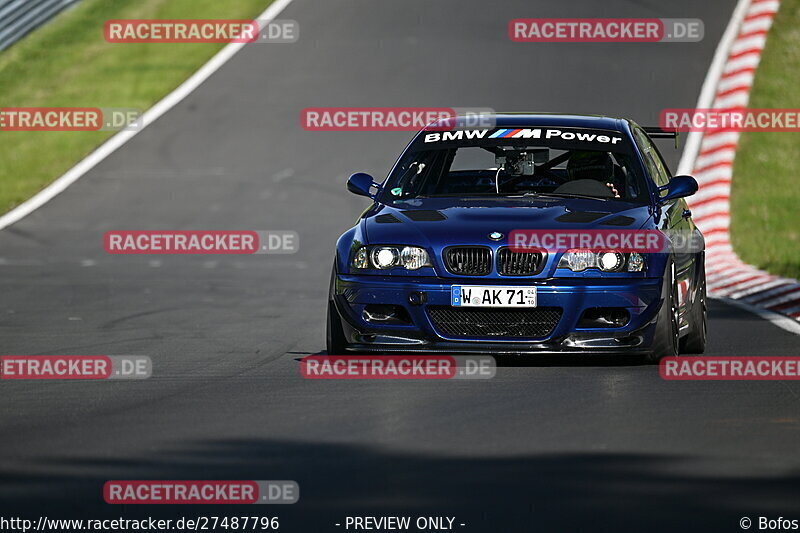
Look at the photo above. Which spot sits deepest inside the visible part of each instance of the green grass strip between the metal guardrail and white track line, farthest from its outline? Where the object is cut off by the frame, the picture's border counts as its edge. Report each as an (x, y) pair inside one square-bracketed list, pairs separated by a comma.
[(68, 63)]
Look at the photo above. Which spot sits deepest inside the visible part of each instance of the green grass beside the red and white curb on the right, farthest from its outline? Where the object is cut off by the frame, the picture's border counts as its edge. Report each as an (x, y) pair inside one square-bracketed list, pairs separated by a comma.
[(765, 200)]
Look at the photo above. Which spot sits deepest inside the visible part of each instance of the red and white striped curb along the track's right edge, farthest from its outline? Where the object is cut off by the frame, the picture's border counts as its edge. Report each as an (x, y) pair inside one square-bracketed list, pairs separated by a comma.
[(709, 158)]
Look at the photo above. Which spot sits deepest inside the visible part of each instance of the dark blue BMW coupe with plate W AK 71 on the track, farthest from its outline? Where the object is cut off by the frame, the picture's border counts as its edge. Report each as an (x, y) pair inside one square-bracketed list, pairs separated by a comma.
[(430, 267)]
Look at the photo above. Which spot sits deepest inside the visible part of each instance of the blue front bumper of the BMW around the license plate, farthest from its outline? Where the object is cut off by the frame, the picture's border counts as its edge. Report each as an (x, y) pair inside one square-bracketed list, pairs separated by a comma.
[(641, 297)]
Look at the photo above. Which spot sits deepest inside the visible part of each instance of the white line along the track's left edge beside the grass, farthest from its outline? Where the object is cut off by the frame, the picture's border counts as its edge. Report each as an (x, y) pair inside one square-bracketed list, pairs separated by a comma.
[(149, 116)]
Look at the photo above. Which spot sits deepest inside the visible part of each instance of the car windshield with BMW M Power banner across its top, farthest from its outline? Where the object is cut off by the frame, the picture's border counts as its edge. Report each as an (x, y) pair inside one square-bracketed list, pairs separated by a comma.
[(518, 162)]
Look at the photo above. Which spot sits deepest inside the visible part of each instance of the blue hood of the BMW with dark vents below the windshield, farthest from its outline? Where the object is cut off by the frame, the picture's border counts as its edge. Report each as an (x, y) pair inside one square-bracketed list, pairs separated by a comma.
[(429, 222)]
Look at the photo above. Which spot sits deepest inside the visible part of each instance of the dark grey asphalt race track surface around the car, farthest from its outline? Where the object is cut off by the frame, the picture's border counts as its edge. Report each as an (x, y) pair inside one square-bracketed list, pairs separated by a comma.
[(549, 445)]
